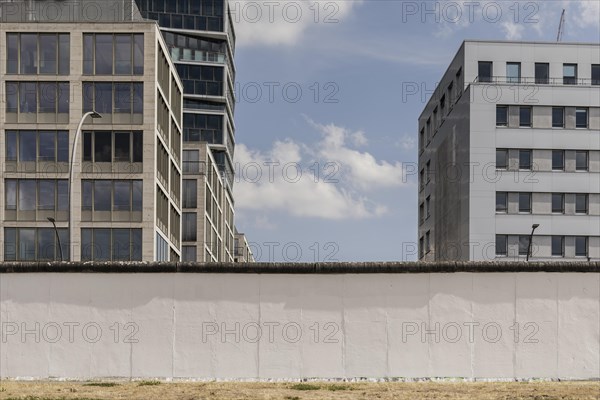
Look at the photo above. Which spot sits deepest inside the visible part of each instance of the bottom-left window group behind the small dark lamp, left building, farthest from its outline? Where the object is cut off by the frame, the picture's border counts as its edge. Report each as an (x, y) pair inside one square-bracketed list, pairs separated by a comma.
[(31, 244)]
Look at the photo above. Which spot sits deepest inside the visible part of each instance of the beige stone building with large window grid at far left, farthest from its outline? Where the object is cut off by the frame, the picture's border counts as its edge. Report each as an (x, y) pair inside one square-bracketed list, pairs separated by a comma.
[(94, 66)]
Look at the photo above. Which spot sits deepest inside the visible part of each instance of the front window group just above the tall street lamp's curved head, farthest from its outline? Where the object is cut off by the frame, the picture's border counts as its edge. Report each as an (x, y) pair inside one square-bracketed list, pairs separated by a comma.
[(113, 98)]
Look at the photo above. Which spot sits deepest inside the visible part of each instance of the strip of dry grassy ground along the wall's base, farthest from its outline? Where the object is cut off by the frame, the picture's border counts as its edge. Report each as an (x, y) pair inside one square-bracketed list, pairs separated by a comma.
[(152, 390)]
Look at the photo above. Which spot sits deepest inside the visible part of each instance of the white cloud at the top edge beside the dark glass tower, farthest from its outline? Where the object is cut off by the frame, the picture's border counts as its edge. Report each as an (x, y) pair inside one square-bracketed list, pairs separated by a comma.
[(265, 22)]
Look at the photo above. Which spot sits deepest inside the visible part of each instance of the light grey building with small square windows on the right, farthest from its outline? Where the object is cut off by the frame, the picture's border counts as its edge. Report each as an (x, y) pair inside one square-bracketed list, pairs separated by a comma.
[(510, 139)]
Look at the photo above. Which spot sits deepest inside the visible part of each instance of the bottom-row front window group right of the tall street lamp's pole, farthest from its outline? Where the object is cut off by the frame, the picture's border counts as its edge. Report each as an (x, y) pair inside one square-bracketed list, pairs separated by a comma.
[(103, 244)]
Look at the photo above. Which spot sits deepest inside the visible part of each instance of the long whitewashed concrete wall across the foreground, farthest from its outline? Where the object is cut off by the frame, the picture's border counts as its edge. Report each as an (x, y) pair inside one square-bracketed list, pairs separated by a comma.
[(290, 326)]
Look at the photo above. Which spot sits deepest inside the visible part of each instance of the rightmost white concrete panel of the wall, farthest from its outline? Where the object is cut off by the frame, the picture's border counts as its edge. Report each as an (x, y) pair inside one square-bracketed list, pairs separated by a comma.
[(578, 306)]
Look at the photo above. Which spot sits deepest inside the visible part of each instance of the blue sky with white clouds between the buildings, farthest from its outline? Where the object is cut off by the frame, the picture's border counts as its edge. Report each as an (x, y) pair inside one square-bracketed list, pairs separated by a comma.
[(326, 134)]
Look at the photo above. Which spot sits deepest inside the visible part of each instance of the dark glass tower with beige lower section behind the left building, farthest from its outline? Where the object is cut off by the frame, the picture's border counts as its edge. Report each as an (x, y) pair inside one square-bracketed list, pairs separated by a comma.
[(201, 42)]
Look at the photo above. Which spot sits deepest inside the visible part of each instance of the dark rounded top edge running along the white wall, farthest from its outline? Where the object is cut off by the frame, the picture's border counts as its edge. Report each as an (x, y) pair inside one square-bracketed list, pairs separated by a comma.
[(300, 268)]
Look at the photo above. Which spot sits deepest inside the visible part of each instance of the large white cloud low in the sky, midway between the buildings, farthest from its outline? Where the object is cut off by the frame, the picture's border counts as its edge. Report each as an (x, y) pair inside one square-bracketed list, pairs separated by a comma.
[(326, 179)]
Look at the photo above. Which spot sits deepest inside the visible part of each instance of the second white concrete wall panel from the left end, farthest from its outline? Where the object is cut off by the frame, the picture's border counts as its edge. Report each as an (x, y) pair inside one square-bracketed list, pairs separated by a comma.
[(104, 319)]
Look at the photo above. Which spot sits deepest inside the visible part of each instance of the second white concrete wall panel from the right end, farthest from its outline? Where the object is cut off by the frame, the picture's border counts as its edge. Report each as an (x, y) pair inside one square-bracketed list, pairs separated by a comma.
[(536, 314)]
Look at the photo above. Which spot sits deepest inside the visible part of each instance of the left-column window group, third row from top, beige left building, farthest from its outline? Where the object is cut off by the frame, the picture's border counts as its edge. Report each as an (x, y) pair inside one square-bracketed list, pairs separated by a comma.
[(46, 146)]
